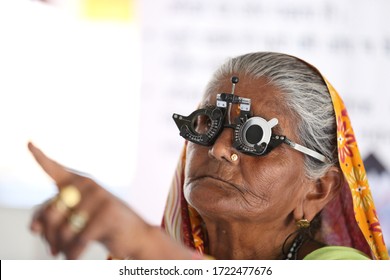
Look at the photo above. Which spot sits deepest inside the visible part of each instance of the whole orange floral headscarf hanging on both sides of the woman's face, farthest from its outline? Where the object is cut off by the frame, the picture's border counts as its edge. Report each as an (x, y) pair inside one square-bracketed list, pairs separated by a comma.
[(349, 220)]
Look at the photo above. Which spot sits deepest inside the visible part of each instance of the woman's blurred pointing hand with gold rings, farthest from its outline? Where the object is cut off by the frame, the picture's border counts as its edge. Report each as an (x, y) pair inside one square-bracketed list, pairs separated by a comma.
[(84, 211)]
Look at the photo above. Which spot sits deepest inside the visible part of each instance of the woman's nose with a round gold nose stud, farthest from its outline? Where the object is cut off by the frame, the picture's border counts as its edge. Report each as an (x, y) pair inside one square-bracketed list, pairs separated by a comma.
[(222, 148)]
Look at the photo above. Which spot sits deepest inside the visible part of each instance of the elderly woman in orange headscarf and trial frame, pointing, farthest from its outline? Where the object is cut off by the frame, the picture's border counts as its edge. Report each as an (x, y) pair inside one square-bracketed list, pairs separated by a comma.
[(270, 170)]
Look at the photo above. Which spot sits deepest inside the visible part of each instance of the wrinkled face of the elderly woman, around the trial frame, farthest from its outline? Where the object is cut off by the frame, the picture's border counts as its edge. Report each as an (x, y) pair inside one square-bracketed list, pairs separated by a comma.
[(253, 187)]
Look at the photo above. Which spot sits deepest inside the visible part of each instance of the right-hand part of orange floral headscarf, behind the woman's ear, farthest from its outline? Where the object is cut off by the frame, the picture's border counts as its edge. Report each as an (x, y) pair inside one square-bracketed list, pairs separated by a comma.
[(362, 220)]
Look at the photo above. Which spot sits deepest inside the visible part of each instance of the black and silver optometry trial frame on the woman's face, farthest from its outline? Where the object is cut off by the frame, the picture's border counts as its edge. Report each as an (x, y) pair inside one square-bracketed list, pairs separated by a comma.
[(252, 134)]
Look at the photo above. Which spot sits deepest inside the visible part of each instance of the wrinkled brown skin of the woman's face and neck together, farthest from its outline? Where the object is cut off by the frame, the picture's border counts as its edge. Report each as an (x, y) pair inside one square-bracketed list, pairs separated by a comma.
[(250, 203)]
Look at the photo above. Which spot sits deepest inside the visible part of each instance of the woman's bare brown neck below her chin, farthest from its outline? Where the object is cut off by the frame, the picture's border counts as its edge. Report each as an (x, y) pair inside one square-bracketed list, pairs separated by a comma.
[(246, 240)]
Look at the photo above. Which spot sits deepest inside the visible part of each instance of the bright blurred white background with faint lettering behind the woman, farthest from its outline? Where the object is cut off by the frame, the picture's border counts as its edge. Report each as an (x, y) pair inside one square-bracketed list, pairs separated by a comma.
[(94, 83)]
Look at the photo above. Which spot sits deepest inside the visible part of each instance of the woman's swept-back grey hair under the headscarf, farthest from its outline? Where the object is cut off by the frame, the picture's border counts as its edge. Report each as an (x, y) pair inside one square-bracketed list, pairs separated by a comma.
[(306, 96)]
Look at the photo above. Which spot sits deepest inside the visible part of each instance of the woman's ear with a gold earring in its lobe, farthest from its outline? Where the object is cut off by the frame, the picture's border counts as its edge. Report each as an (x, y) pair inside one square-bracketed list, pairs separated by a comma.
[(320, 192)]
